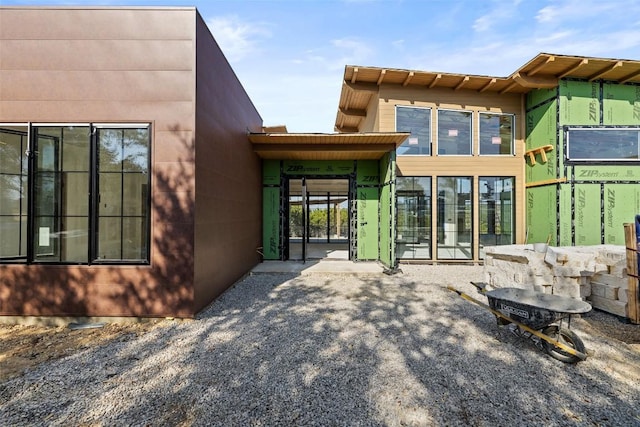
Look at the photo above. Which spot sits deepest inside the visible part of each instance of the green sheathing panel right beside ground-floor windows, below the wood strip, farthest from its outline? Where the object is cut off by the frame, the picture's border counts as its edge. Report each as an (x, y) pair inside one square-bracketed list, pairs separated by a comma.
[(541, 214)]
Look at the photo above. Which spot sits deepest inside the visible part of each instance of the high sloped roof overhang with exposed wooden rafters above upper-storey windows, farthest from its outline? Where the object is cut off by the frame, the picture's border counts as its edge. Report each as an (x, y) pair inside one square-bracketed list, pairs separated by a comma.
[(543, 72)]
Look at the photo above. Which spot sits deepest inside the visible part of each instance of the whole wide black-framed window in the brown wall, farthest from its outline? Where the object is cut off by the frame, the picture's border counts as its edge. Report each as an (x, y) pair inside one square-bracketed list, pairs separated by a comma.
[(89, 199)]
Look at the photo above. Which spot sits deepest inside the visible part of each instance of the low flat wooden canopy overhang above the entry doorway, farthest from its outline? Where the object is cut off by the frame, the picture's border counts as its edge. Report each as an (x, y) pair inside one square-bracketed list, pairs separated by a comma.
[(321, 146)]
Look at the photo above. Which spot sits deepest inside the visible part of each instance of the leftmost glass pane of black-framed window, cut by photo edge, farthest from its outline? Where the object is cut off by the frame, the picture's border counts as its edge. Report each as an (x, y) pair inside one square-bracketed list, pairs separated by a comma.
[(13, 193)]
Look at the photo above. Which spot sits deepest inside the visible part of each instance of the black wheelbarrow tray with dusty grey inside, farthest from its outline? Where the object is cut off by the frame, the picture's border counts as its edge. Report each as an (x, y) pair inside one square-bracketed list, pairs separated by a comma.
[(534, 309)]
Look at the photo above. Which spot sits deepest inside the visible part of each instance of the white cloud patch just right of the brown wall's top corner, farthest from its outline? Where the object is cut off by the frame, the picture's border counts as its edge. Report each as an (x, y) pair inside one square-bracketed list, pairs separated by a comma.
[(237, 39)]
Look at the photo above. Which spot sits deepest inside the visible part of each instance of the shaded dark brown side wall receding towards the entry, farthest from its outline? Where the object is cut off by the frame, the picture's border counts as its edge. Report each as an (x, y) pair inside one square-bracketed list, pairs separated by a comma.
[(228, 174)]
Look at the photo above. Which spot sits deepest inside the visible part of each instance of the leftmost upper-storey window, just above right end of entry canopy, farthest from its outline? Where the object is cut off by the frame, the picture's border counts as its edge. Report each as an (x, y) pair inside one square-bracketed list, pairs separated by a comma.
[(417, 121)]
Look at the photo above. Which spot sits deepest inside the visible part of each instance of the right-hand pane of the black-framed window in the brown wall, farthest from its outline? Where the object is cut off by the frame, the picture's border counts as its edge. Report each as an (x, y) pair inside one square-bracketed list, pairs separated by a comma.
[(123, 186)]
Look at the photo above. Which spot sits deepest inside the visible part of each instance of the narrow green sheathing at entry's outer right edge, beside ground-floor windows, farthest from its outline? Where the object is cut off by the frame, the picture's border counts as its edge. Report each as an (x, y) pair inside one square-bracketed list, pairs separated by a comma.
[(387, 210)]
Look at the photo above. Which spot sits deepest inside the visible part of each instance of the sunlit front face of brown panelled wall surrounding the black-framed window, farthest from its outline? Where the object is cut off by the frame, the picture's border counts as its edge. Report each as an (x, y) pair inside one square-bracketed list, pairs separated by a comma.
[(70, 65)]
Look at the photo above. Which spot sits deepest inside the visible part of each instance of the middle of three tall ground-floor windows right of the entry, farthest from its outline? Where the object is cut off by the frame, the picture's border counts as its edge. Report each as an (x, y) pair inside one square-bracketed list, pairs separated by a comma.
[(454, 218)]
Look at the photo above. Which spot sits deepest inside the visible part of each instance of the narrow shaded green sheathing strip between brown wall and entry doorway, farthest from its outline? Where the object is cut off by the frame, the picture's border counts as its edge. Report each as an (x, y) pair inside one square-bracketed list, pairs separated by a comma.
[(271, 209)]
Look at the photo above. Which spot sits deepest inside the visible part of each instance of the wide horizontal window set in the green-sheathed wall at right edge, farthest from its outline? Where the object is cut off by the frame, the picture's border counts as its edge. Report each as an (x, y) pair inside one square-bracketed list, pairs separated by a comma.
[(603, 144)]
